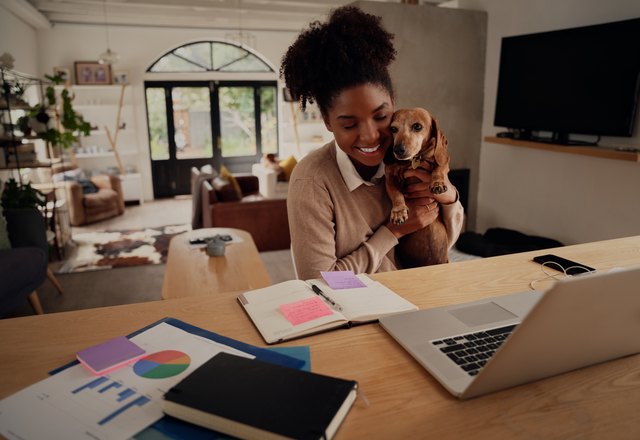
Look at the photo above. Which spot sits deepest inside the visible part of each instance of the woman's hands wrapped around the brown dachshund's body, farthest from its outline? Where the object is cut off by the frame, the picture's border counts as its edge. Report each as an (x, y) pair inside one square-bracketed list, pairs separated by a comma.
[(423, 204)]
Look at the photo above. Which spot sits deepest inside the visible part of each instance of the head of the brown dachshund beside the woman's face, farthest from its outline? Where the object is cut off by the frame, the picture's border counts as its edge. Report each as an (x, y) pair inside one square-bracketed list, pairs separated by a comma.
[(415, 132)]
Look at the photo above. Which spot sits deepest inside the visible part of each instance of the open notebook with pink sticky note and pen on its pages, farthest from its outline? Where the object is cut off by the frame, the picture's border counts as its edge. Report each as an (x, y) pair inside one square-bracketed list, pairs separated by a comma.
[(297, 308)]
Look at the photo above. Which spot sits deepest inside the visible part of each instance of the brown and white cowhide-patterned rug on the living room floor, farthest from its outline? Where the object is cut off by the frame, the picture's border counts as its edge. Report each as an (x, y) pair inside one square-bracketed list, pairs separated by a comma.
[(112, 249)]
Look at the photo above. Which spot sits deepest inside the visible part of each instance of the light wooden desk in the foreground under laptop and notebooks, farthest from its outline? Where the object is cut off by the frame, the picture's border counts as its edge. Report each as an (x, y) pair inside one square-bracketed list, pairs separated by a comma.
[(601, 401)]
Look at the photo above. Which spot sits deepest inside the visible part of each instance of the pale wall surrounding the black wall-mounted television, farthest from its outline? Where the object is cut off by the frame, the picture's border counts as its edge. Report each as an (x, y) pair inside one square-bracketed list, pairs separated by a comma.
[(568, 197)]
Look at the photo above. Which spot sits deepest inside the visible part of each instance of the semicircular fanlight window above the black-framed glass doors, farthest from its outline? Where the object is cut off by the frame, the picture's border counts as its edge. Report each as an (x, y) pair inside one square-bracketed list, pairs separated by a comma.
[(209, 56)]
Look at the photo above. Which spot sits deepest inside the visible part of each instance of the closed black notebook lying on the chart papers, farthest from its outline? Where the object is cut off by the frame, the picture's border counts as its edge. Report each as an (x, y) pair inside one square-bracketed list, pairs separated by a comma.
[(257, 400)]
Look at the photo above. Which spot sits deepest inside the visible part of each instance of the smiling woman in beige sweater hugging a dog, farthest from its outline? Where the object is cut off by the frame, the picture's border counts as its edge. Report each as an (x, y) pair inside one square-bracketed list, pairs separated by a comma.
[(337, 203)]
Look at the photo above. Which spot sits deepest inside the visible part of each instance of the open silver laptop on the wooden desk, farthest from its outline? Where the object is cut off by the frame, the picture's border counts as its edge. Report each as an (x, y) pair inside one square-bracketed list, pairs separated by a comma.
[(496, 343)]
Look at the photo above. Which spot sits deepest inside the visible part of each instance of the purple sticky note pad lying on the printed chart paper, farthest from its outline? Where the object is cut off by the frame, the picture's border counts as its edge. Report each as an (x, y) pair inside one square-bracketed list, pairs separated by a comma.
[(109, 355)]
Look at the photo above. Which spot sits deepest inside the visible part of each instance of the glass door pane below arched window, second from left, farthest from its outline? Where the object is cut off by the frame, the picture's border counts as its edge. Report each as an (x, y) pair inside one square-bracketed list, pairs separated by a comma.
[(192, 122)]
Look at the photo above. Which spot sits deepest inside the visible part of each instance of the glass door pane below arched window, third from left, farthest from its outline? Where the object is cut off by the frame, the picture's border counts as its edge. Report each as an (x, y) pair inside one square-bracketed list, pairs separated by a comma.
[(237, 121)]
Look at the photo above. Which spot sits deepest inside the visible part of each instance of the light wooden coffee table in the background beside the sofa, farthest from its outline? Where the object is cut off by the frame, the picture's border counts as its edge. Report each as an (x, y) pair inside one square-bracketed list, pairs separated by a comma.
[(191, 272)]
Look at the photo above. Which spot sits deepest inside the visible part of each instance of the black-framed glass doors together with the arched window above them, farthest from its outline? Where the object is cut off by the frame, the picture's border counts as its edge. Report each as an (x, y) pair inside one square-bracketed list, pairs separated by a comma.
[(202, 109)]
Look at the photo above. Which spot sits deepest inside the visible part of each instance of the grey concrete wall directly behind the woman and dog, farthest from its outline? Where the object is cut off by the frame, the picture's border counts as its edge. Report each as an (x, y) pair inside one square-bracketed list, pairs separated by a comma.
[(440, 66)]
